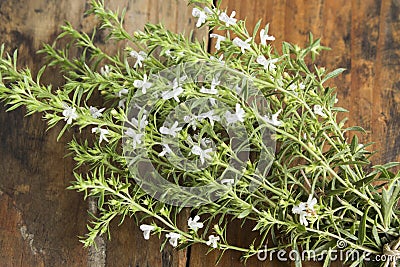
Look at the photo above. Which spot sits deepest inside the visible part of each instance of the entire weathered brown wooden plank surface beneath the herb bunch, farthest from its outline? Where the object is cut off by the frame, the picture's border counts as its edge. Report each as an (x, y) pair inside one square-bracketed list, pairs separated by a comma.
[(40, 220)]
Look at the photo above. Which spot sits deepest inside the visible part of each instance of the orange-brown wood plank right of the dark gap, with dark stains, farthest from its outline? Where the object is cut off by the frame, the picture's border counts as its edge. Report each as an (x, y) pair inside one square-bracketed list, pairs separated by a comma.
[(364, 37)]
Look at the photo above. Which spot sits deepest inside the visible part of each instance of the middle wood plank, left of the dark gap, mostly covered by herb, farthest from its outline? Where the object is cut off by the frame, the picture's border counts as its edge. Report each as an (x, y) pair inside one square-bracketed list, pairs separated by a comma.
[(127, 246)]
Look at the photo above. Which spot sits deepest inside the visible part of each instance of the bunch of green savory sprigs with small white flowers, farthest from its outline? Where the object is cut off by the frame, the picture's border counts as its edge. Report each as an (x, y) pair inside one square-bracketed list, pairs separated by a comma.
[(245, 133)]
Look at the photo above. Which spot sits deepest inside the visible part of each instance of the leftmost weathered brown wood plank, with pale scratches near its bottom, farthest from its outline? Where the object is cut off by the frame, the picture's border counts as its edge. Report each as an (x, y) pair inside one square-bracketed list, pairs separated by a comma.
[(43, 219)]
